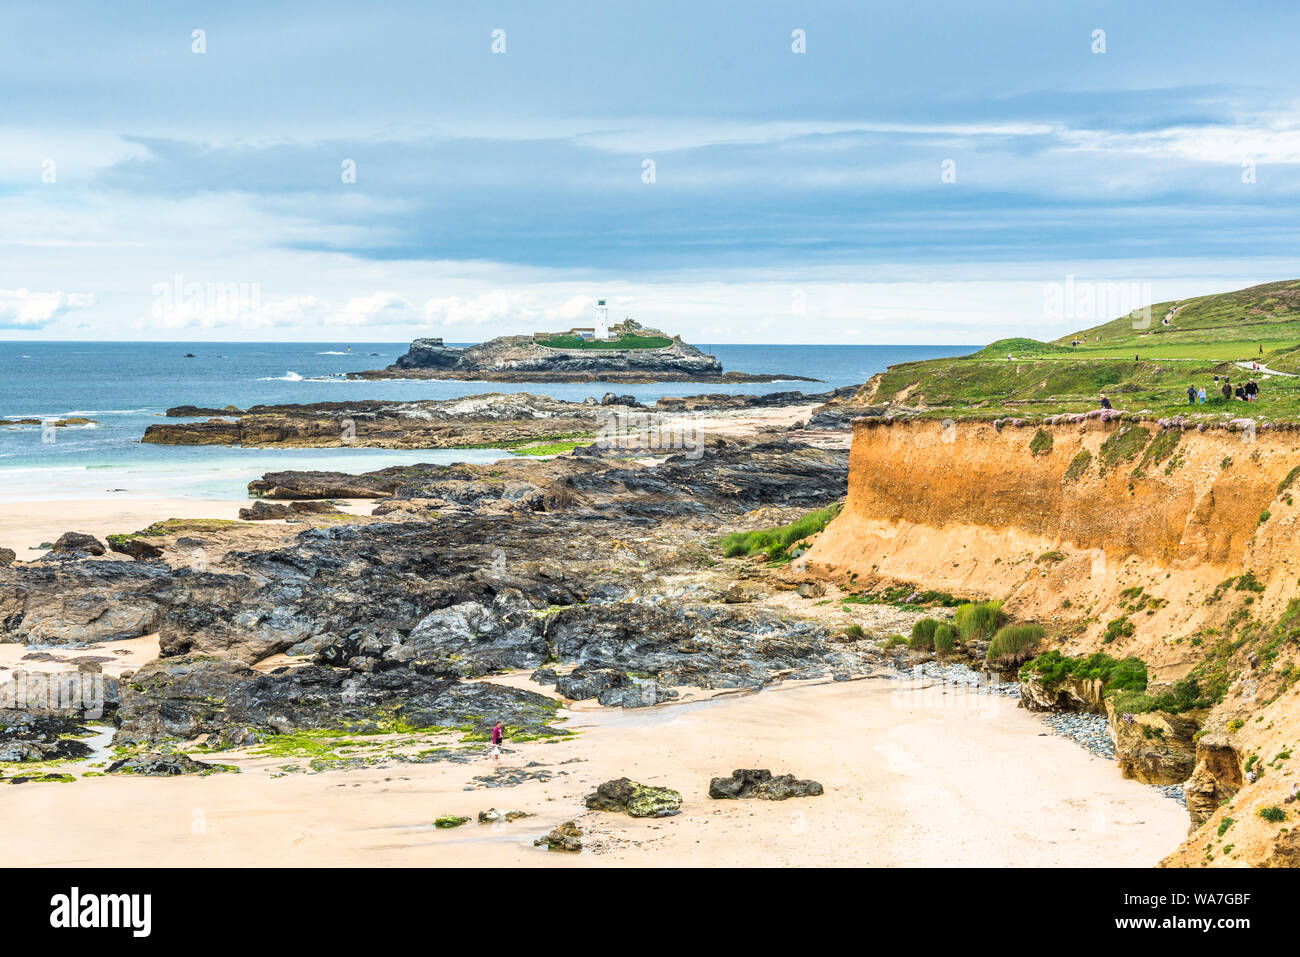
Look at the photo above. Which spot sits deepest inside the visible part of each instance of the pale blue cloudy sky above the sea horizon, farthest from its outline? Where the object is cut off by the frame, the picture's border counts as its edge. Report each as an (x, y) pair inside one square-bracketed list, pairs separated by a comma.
[(735, 172)]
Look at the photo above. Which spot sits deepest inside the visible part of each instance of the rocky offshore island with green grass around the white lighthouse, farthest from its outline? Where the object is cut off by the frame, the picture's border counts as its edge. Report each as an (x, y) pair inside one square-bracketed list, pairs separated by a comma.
[(629, 354)]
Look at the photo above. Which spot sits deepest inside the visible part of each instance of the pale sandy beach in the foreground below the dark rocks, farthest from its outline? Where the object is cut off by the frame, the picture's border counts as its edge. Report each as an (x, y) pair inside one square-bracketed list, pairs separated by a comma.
[(912, 778)]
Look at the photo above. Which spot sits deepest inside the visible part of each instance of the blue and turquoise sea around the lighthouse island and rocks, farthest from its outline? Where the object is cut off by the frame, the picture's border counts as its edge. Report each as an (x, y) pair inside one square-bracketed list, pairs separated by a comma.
[(125, 387)]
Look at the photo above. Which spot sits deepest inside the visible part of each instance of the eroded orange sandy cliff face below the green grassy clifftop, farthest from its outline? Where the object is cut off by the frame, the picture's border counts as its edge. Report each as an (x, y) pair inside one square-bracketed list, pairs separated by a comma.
[(1117, 536)]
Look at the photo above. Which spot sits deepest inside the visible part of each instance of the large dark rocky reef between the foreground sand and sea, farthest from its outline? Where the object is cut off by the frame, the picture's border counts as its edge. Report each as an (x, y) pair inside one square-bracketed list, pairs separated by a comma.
[(389, 623)]
